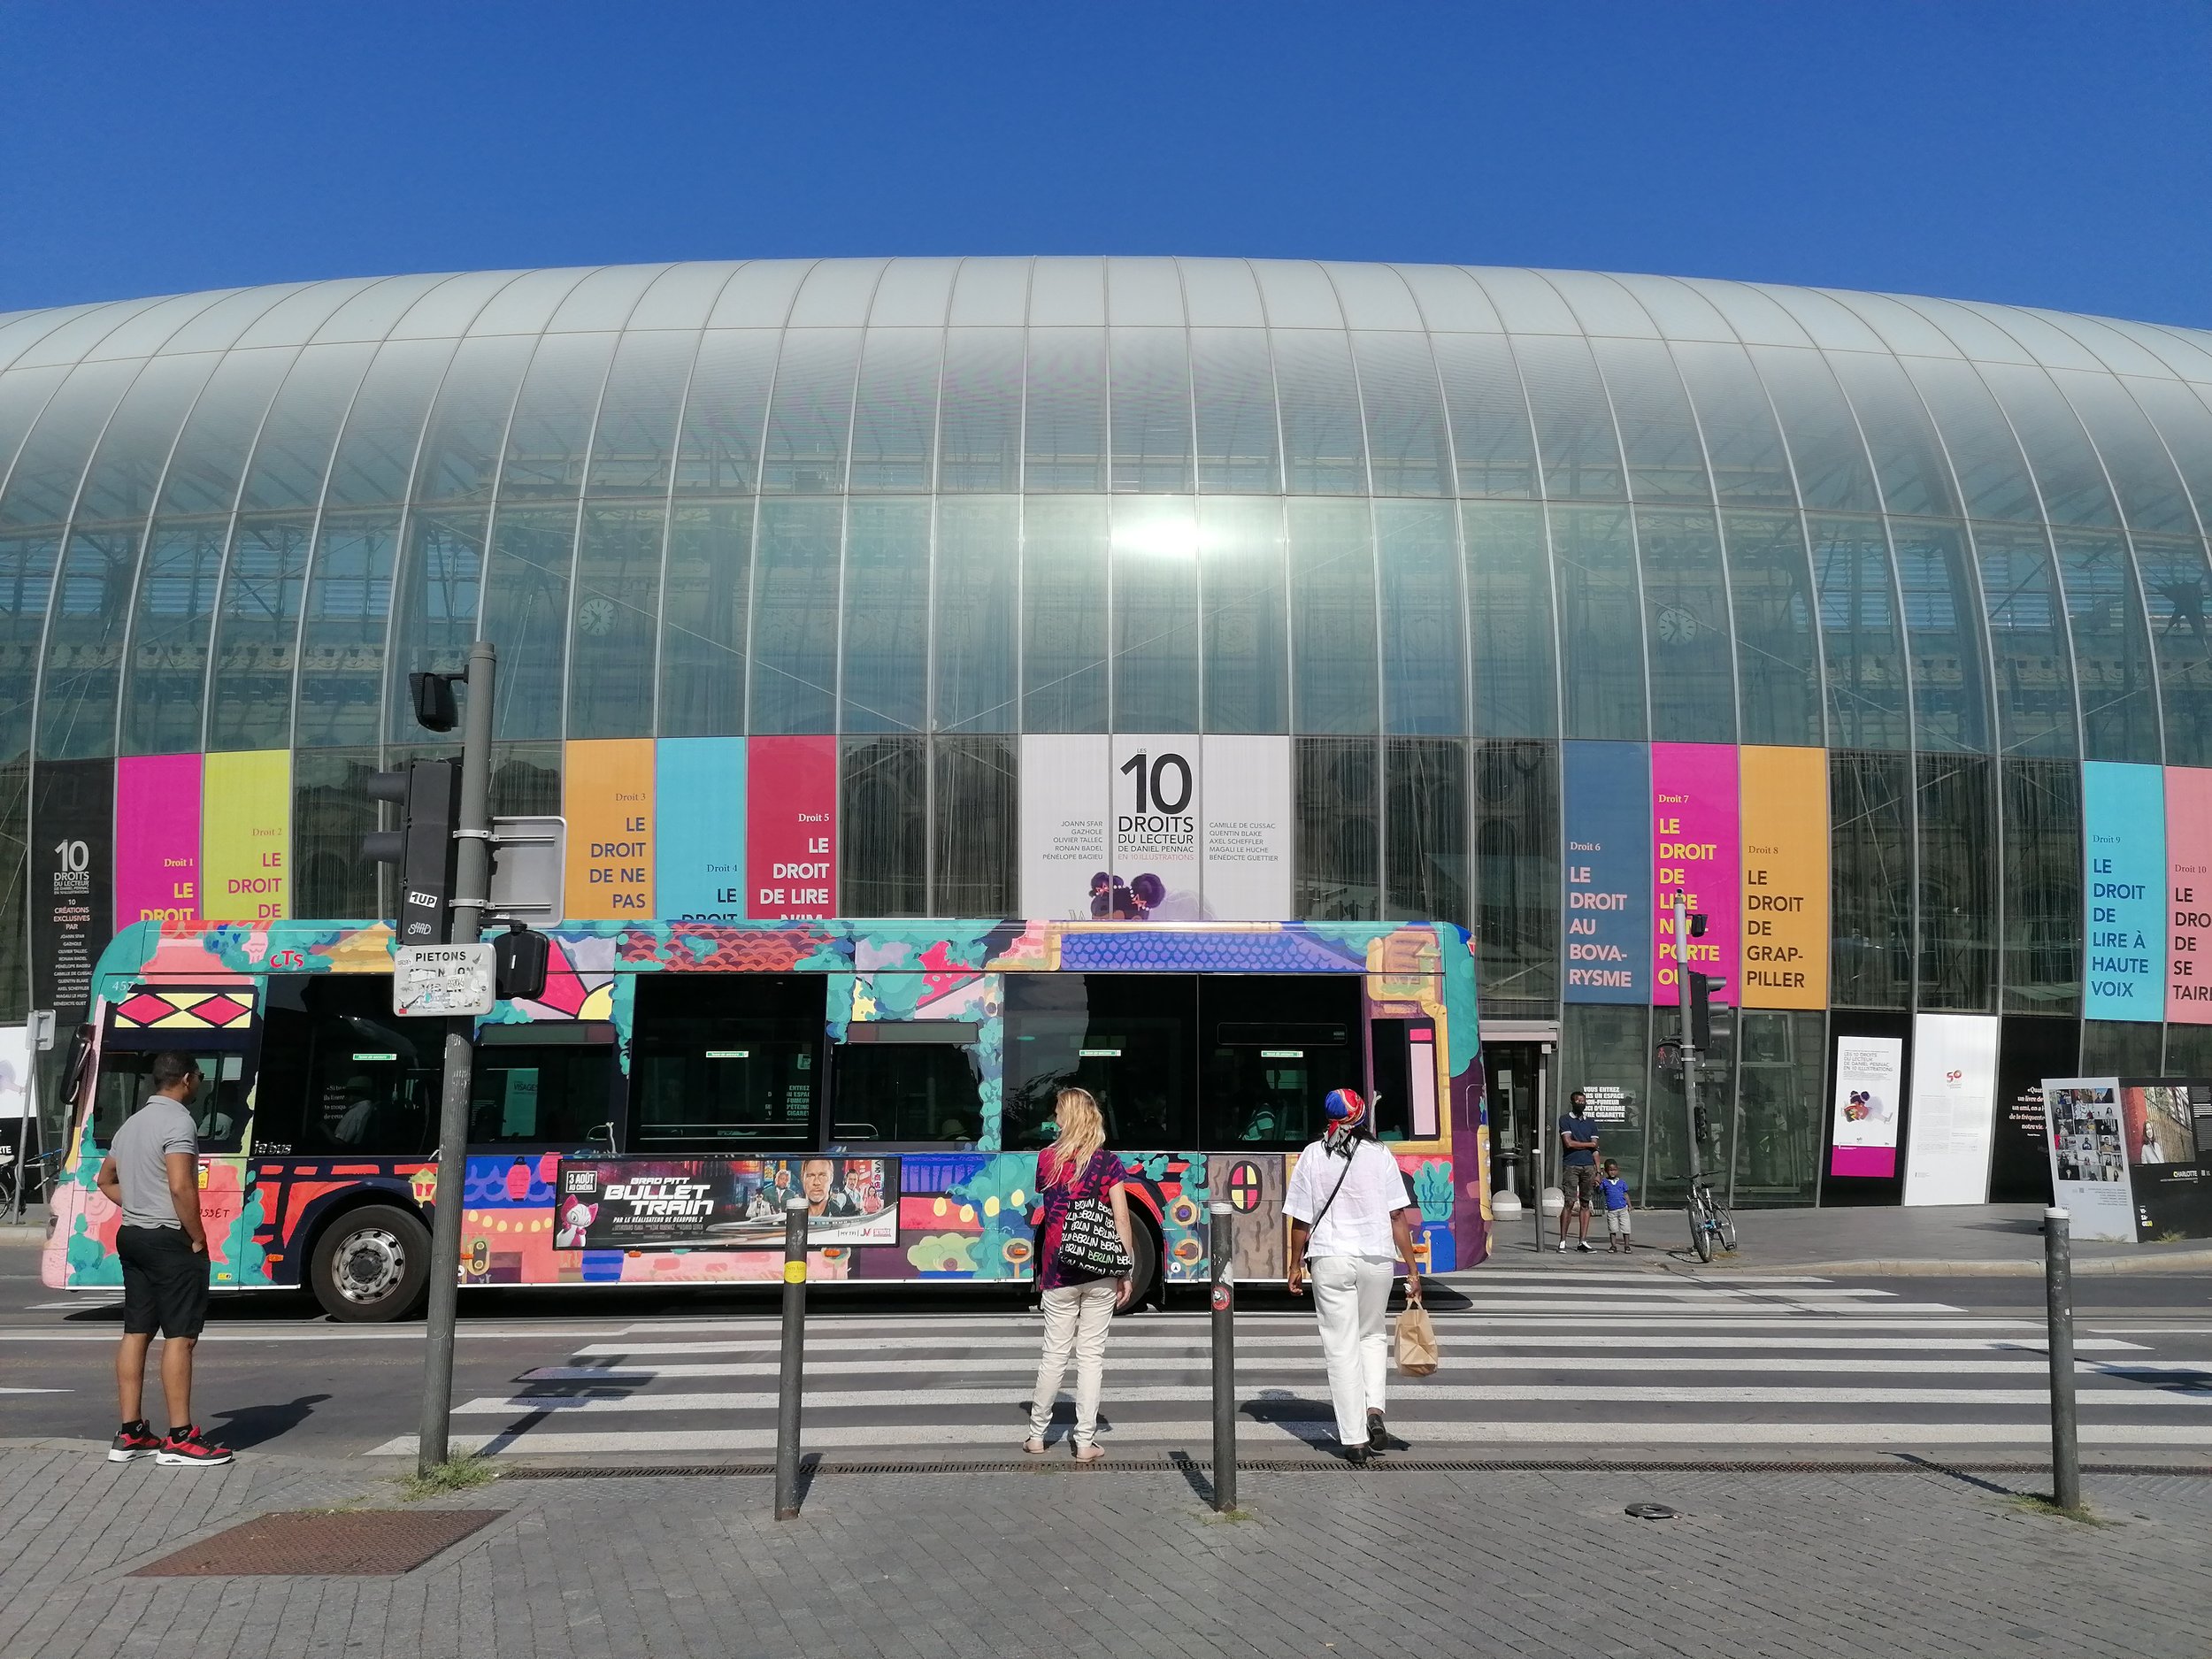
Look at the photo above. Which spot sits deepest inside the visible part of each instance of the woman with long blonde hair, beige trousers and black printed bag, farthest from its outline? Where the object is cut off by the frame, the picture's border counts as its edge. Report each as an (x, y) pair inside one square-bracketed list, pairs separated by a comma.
[(1085, 1260)]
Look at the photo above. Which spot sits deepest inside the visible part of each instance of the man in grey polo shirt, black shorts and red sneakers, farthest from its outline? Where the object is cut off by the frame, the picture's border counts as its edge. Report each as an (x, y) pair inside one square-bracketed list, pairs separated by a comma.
[(152, 1176)]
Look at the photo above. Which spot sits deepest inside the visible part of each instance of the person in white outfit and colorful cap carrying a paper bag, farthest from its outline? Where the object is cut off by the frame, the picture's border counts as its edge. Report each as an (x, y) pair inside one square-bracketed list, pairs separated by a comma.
[(1350, 1222)]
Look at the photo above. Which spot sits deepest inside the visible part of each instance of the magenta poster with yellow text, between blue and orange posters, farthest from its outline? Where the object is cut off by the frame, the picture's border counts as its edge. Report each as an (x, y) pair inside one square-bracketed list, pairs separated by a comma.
[(1698, 851)]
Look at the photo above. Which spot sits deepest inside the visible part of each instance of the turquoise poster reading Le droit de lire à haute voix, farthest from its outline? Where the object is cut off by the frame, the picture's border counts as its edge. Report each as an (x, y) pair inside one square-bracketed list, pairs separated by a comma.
[(2125, 888)]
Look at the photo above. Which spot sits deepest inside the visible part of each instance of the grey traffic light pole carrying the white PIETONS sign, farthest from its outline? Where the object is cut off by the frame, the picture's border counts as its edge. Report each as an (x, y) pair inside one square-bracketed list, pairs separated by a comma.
[(472, 890)]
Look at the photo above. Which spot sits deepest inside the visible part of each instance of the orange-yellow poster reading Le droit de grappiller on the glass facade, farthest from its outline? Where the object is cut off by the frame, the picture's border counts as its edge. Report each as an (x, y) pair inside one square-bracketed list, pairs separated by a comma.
[(1784, 879)]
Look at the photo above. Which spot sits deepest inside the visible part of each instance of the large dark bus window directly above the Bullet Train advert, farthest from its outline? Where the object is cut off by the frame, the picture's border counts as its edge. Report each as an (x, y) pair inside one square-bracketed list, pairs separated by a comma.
[(716, 1072)]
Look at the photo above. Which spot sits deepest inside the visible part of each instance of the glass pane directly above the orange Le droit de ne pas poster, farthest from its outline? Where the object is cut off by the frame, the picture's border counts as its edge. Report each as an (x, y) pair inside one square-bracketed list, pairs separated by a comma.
[(618, 592)]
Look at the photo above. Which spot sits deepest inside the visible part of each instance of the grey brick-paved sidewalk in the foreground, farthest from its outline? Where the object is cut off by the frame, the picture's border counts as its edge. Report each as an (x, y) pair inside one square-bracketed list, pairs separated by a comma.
[(1100, 1563)]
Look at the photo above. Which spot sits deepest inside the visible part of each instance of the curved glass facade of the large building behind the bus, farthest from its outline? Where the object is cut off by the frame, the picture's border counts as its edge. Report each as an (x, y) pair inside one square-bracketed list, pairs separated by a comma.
[(1439, 528)]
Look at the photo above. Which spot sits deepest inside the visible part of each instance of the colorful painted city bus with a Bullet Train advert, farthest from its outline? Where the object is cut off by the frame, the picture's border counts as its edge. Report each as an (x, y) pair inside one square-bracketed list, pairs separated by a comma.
[(645, 1120)]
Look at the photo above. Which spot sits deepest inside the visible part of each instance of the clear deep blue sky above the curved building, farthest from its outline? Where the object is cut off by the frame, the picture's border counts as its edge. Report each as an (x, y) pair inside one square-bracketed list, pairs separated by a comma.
[(2036, 154)]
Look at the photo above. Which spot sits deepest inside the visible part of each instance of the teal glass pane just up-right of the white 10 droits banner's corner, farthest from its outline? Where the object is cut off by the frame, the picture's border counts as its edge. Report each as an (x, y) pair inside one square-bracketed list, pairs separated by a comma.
[(1333, 618)]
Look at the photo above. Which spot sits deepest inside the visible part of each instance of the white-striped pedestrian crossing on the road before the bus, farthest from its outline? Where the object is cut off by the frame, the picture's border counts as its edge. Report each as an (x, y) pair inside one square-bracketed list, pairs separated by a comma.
[(1596, 1359)]
